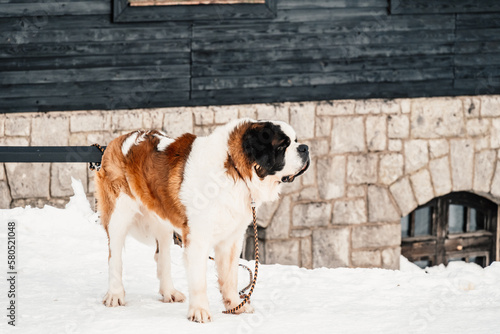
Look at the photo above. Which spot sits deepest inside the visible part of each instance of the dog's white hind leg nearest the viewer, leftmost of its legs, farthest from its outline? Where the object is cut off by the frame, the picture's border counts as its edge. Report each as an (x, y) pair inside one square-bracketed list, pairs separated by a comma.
[(119, 224)]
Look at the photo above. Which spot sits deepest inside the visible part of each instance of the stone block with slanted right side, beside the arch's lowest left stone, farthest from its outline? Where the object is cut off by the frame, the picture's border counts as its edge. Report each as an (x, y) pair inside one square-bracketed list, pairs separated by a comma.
[(380, 206)]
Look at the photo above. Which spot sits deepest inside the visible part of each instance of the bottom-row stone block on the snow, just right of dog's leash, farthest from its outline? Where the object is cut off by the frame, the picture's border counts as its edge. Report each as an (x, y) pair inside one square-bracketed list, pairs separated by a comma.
[(285, 252)]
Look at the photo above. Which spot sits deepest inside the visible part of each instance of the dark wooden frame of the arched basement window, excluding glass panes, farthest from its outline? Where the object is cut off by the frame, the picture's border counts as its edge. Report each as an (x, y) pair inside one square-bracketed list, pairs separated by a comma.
[(441, 245)]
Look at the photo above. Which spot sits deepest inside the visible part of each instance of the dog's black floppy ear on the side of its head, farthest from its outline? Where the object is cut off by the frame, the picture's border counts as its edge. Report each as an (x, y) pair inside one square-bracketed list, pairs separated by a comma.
[(258, 147)]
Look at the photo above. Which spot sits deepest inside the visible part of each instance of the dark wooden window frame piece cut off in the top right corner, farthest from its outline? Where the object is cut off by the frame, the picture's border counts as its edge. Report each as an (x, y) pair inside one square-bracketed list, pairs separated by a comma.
[(443, 6)]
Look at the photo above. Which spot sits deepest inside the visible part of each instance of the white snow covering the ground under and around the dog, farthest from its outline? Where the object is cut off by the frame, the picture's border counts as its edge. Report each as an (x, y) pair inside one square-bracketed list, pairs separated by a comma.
[(62, 278)]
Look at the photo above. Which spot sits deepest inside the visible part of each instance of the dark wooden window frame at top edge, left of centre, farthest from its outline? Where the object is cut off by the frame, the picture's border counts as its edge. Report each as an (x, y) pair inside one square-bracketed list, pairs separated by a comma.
[(122, 12)]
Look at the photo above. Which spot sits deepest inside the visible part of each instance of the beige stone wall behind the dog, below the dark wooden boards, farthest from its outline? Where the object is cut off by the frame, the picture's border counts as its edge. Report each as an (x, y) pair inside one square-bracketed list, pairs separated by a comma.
[(373, 161)]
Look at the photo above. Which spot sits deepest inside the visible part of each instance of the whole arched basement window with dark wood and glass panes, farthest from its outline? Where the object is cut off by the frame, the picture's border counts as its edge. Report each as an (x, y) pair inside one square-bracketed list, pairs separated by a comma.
[(457, 227)]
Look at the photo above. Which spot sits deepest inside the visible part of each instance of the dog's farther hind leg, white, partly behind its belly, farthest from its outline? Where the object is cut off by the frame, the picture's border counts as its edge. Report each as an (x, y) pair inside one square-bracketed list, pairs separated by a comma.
[(164, 269)]
